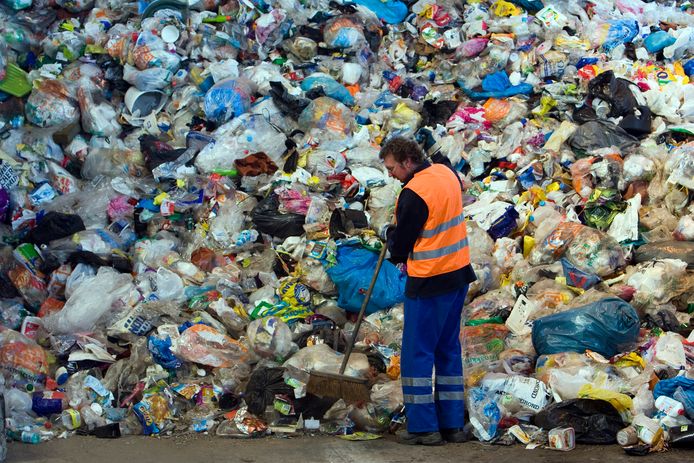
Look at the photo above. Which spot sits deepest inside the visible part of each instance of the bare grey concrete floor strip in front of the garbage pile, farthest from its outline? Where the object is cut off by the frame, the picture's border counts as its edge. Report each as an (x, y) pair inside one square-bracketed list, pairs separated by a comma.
[(205, 449)]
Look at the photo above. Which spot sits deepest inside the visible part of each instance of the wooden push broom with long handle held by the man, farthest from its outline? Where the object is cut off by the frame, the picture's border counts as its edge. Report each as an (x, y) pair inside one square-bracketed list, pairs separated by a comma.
[(348, 388)]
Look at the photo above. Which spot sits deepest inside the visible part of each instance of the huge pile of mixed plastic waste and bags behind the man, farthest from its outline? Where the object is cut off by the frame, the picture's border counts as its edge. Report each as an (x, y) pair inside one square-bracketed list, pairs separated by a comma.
[(190, 193)]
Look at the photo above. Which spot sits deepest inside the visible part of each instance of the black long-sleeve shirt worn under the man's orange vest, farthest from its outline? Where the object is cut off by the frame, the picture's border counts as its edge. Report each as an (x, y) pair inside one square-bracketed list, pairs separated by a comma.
[(411, 214)]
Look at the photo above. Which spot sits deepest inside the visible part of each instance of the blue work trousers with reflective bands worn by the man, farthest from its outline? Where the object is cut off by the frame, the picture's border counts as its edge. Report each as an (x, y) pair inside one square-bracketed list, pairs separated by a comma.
[(431, 339)]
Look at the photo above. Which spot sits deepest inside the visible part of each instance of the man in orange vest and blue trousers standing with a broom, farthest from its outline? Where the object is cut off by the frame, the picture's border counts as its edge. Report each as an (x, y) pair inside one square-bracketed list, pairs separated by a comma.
[(430, 237)]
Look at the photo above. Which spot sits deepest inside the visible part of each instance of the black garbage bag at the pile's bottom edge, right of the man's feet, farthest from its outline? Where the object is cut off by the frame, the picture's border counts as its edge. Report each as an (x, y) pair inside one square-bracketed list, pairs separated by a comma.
[(594, 421)]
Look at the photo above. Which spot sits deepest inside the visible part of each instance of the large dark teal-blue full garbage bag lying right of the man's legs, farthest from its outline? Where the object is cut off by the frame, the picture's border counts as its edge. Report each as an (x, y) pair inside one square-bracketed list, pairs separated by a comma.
[(608, 327)]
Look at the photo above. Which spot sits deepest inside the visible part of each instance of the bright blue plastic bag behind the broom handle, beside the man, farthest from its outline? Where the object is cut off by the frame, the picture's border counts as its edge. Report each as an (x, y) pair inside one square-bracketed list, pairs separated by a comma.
[(352, 275)]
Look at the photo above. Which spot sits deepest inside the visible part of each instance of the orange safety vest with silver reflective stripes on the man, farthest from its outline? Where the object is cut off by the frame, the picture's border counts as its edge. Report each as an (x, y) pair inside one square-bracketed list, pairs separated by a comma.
[(442, 246)]
